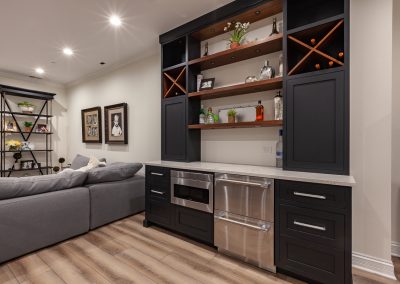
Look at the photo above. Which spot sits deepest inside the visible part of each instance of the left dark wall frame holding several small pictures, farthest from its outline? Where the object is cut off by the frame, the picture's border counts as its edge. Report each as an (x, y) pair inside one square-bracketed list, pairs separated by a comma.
[(91, 125)]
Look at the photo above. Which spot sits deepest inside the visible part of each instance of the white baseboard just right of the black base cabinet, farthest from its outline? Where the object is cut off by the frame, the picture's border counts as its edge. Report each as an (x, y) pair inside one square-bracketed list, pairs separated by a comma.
[(373, 265)]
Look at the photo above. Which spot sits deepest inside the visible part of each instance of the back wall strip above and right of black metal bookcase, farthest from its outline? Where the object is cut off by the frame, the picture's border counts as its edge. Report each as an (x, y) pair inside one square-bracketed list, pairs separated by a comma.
[(59, 122)]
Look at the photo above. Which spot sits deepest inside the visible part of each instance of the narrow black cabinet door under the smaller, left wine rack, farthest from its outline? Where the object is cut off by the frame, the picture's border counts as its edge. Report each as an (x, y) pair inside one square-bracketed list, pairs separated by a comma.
[(173, 129)]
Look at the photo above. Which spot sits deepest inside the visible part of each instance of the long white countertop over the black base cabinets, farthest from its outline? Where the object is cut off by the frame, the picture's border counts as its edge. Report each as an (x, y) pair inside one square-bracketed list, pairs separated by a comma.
[(259, 171)]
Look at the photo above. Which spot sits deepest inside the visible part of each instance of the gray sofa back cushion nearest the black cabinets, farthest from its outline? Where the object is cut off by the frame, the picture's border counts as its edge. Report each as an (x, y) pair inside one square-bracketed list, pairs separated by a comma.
[(113, 172)]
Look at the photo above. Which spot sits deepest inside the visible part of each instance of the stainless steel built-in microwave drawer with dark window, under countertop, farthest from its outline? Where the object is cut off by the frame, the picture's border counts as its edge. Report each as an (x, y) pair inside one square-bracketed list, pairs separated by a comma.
[(193, 190)]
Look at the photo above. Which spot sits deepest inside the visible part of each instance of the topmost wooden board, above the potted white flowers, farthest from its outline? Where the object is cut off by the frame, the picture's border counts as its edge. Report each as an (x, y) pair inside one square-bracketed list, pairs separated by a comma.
[(252, 15)]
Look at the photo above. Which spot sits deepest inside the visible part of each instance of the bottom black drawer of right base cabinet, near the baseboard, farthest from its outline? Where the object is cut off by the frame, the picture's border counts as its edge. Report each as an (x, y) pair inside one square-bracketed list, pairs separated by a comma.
[(318, 263)]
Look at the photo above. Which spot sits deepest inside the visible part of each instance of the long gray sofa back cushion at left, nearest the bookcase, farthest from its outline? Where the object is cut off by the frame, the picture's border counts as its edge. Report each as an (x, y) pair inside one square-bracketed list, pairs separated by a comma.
[(26, 186)]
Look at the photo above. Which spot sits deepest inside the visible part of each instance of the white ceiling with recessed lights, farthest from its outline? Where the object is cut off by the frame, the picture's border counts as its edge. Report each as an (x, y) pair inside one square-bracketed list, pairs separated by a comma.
[(33, 33)]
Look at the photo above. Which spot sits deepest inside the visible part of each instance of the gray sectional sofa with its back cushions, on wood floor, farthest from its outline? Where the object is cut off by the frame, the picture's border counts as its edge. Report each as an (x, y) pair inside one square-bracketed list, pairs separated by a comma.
[(36, 212)]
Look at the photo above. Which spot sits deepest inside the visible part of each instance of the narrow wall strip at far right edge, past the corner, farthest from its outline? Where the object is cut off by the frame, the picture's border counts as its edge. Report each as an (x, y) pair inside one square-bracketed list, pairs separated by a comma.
[(396, 126)]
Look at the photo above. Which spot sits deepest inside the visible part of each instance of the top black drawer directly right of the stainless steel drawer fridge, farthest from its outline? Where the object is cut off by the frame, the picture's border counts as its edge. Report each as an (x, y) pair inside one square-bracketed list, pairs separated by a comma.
[(314, 195)]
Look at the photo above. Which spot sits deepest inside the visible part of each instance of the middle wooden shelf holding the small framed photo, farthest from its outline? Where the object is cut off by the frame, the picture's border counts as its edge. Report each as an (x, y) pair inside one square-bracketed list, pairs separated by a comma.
[(245, 88)]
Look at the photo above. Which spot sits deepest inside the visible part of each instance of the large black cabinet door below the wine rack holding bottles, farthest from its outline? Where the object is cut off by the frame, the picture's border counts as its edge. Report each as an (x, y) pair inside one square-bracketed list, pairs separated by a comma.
[(316, 124)]
